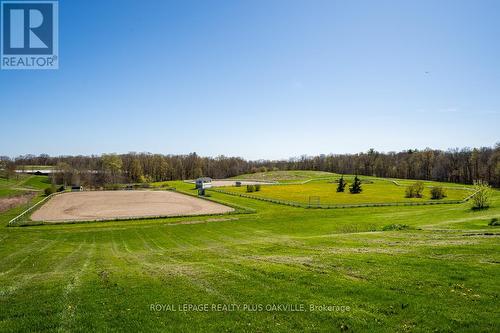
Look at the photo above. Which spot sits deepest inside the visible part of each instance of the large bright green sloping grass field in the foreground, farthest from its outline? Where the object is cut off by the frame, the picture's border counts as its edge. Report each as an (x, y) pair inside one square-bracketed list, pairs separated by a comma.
[(440, 274)]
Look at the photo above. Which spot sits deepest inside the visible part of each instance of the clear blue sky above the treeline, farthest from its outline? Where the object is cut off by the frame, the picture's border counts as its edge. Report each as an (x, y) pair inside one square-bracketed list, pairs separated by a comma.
[(260, 79)]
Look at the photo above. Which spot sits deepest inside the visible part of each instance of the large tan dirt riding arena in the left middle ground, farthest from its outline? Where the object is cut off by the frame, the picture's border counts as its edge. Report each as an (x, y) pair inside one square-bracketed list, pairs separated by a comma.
[(108, 205)]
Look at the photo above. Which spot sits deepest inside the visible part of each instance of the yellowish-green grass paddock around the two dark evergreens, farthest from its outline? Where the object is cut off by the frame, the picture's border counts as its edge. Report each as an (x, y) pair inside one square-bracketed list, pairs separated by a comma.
[(374, 191)]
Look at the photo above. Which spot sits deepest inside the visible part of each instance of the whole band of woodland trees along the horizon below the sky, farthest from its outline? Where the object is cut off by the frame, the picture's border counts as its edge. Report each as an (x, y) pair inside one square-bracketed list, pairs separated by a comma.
[(454, 165)]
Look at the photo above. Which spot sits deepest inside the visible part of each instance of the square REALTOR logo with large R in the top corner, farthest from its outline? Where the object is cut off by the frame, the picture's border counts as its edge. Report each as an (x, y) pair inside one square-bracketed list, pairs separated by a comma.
[(29, 35)]
